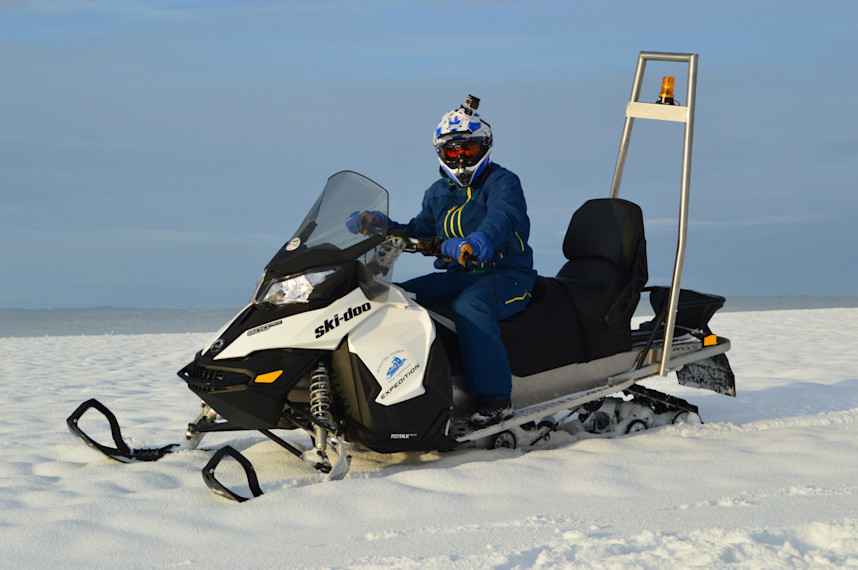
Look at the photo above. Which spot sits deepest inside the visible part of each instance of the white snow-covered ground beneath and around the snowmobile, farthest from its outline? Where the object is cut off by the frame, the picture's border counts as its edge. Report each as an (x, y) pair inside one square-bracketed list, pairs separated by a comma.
[(769, 480)]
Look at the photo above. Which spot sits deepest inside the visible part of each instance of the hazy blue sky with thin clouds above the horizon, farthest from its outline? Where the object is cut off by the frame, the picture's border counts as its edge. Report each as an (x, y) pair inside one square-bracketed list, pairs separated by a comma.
[(158, 154)]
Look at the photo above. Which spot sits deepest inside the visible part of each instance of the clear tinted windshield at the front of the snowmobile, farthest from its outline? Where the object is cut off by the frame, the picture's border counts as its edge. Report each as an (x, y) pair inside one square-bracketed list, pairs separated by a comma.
[(347, 194)]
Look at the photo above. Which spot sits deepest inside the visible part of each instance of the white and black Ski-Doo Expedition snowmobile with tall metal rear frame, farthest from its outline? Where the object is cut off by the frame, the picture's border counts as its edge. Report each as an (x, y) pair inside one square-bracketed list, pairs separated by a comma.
[(330, 346)]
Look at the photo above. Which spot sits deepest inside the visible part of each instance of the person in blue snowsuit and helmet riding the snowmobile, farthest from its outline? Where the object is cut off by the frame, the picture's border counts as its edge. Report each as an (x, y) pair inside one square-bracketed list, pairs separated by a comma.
[(478, 208)]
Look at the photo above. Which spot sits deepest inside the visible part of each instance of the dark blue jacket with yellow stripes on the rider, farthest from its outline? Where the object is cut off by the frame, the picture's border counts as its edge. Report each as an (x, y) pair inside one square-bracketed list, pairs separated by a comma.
[(493, 204)]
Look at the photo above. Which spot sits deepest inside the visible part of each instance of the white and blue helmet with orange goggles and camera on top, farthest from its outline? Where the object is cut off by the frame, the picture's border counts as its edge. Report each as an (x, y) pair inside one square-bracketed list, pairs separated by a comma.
[(463, 142)]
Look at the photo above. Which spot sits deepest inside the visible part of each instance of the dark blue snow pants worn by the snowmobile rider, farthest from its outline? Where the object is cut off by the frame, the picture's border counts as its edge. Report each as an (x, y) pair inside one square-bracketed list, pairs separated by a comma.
[(480, 300)]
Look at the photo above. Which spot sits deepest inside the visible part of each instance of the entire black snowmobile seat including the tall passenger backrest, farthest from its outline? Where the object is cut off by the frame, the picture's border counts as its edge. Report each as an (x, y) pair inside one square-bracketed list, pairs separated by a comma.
[(585, 312)]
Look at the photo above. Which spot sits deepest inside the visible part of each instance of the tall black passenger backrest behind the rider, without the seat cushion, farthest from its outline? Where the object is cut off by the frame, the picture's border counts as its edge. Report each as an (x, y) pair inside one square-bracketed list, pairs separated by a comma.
[(606, 252)]
